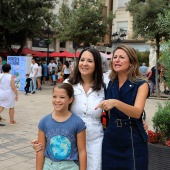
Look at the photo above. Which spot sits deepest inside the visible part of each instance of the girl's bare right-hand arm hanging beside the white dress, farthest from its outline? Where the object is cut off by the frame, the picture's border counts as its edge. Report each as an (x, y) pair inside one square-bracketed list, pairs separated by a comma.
[(81, 145)]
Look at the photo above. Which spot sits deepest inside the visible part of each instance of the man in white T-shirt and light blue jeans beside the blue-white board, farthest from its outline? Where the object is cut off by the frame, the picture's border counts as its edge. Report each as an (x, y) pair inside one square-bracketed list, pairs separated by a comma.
[(33, 76)]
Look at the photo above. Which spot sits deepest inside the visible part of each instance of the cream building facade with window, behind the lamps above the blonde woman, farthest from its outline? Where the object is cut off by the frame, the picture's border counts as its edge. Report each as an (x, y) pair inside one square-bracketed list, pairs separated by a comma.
[(123, 21)]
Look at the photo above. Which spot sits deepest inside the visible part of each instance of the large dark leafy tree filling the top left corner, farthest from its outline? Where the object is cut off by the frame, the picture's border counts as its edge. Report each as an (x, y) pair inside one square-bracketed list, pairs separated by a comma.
[(22, 20)]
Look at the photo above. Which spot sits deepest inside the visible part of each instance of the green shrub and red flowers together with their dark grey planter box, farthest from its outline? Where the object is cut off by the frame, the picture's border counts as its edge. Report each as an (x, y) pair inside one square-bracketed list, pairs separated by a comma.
[(159, 139)]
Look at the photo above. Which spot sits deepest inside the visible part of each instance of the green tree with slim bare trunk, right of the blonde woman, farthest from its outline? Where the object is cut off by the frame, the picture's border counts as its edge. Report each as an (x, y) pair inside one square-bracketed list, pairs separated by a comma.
[(145, 16)]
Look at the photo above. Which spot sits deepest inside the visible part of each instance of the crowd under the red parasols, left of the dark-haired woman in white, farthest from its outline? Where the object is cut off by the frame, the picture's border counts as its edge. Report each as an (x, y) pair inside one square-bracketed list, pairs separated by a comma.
[(41, 73)]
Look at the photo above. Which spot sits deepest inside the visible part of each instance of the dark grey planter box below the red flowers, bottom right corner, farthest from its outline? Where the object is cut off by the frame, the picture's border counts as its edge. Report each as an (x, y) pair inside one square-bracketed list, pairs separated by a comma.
[(159, 157)]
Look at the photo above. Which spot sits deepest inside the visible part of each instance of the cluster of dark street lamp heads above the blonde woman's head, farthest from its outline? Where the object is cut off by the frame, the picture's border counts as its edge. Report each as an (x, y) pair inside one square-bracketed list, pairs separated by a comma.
[(119, 37)]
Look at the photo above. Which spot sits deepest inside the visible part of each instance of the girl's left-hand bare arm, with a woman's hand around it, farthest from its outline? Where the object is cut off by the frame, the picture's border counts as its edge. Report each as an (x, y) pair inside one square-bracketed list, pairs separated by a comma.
[(40, 154)]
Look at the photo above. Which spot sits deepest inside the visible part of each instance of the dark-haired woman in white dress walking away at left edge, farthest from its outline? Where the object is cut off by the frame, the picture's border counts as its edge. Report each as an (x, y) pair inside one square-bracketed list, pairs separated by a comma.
[(8, 92)]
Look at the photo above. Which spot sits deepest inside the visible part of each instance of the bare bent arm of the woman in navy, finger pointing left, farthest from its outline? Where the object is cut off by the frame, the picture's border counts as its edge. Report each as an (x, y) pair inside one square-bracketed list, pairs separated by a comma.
[(131, 111)]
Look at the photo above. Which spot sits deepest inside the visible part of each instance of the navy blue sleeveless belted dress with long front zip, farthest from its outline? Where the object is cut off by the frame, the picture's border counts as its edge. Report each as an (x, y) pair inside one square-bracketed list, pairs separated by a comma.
[(124, 144)]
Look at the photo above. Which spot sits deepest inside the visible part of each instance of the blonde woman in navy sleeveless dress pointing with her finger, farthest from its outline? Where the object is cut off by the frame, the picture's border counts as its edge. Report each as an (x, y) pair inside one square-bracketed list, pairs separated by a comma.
[(125, 140)]
